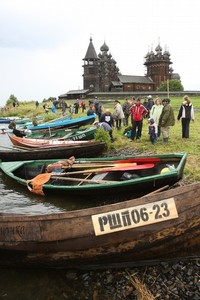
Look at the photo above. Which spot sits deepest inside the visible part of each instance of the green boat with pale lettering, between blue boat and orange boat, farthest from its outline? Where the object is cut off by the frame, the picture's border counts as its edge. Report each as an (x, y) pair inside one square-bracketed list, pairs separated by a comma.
[(75, 134)]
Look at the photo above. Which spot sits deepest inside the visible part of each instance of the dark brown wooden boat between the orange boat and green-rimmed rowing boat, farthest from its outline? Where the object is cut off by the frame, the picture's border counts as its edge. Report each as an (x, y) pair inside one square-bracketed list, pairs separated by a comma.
[(90, 149)]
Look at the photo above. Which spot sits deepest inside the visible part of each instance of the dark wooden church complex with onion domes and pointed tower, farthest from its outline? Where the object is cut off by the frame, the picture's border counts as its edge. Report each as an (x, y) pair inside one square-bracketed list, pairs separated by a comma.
[(101, 73)]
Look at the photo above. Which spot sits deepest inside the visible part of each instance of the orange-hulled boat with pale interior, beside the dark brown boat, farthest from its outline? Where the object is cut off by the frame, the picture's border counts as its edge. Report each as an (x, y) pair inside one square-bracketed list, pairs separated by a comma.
[(41, 143)]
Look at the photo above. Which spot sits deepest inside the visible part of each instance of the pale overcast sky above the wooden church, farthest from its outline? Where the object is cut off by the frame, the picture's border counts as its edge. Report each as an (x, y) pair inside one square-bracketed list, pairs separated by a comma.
[(43, 42)]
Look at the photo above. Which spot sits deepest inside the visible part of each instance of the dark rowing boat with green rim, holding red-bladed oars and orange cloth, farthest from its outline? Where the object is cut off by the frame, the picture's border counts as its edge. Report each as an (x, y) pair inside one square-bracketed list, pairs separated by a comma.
[(98, 178)]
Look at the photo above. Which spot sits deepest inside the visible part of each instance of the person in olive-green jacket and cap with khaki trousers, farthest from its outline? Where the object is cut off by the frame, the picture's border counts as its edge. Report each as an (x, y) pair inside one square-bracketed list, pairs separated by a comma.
[(167, 119)]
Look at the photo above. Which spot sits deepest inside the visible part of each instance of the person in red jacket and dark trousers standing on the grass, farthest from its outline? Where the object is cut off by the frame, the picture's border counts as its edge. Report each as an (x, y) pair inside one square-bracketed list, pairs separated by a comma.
[(138, 111)]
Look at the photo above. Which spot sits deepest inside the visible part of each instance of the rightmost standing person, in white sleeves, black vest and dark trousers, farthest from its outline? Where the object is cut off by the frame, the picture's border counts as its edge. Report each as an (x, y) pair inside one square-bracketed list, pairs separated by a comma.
[(186, 114)]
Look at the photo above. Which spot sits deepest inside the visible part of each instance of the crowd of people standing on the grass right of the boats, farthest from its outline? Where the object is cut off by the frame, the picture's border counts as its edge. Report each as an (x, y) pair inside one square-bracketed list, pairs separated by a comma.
[(159, 114)]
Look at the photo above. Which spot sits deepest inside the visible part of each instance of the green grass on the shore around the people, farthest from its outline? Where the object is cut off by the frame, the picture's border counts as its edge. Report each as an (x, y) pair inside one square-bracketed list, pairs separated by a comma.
[(175, 144)]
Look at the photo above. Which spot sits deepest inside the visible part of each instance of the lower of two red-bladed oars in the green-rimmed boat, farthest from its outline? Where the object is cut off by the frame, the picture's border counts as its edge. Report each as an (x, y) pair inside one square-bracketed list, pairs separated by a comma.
[(111, 169)]
